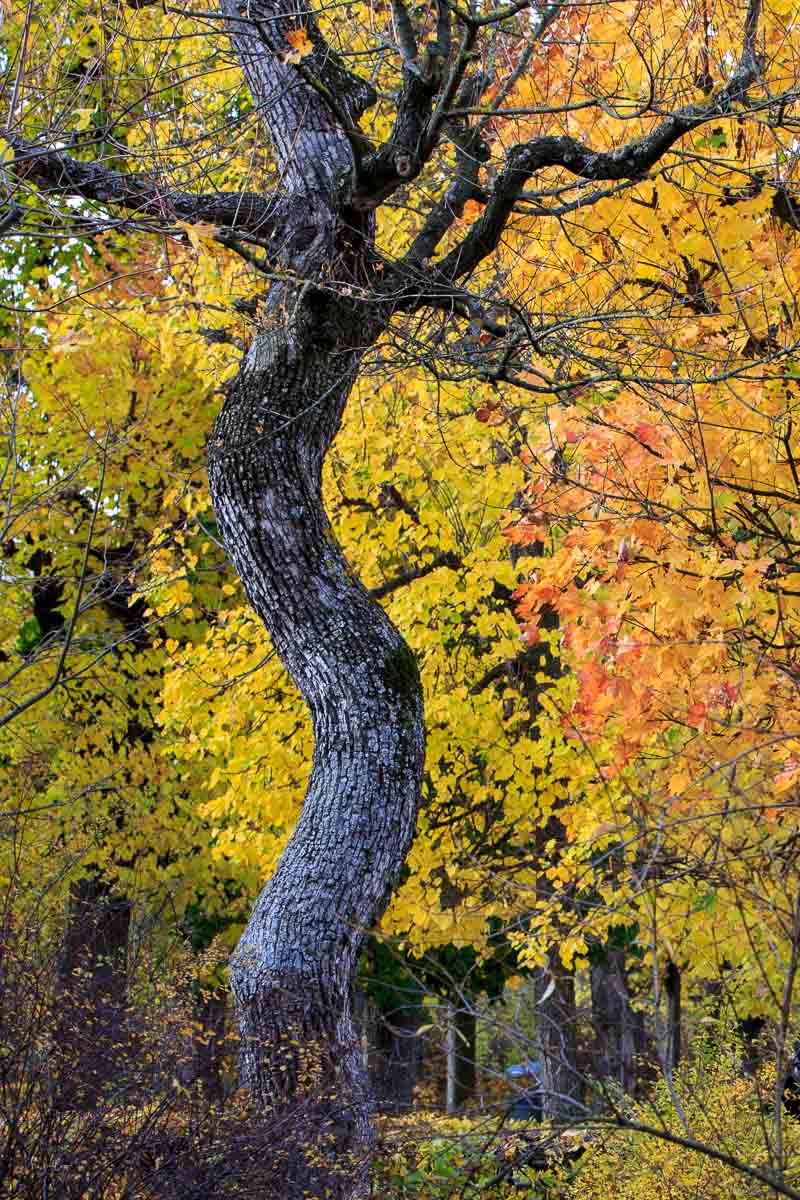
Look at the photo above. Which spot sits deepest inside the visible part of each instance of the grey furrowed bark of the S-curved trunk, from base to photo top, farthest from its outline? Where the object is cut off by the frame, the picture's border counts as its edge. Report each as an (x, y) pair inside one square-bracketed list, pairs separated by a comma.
[(294, 968)]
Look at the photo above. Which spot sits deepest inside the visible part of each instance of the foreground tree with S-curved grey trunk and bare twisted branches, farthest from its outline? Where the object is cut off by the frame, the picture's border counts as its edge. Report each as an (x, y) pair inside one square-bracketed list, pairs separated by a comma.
[(448, 149)]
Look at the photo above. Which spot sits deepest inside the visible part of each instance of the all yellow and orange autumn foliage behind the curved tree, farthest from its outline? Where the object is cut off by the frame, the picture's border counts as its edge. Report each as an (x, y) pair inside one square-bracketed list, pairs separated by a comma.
[(576, 494)]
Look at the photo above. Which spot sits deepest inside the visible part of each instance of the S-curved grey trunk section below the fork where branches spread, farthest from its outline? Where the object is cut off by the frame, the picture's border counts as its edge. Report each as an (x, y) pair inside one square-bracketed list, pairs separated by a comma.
[(294, 968)]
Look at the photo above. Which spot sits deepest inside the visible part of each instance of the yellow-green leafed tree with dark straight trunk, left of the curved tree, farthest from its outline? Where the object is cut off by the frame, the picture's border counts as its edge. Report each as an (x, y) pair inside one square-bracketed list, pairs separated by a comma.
[(105, 435)]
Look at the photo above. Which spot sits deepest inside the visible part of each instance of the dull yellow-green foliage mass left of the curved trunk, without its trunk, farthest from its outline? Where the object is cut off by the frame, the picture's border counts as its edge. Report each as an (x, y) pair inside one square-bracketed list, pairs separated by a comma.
[(107, 448)]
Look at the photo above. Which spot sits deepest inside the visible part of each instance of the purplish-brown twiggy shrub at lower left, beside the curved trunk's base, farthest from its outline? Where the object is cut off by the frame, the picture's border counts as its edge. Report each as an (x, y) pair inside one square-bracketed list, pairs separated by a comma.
[(134, 1132)]
